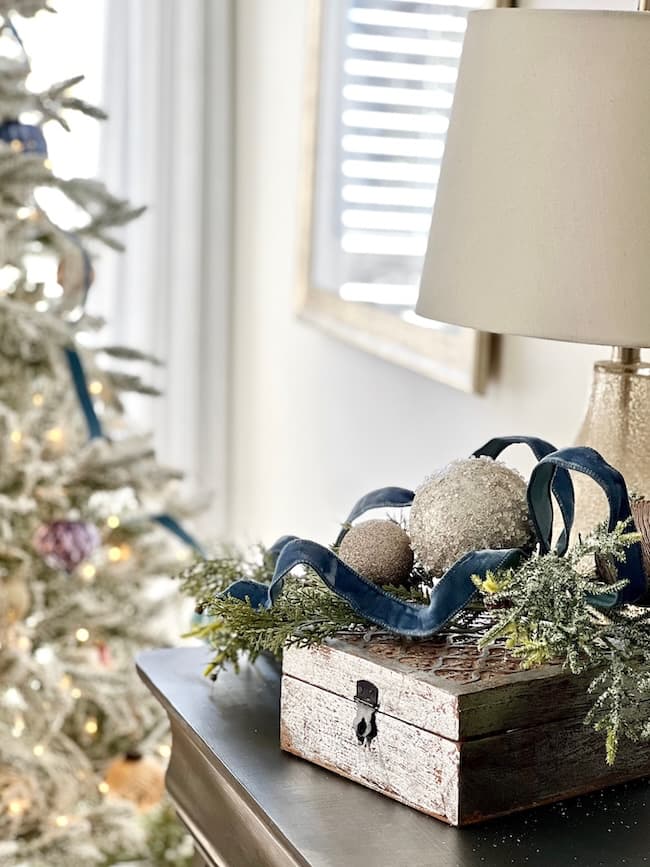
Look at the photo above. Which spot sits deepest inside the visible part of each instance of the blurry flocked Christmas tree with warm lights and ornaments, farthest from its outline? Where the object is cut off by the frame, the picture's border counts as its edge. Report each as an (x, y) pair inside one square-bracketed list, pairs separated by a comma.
[(85, 520)]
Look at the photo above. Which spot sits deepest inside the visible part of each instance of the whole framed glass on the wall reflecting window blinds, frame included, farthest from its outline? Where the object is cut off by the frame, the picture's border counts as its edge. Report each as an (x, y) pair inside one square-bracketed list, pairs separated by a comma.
[(381, 96)]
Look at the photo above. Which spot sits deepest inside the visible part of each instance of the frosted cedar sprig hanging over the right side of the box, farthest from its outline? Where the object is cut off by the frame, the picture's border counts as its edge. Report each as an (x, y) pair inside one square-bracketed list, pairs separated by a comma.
[(545, 612)]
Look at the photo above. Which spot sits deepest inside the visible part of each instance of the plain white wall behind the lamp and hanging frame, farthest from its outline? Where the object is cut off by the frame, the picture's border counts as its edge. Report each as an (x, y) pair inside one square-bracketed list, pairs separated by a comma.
[(315, 423)]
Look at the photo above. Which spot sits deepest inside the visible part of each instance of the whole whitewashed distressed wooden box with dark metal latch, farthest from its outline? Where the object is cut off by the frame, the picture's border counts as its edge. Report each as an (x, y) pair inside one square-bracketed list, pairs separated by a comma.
[(459, 734)]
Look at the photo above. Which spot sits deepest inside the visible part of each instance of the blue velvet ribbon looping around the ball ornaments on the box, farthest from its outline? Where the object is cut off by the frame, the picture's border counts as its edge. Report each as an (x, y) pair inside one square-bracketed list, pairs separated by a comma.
[(456, 587)]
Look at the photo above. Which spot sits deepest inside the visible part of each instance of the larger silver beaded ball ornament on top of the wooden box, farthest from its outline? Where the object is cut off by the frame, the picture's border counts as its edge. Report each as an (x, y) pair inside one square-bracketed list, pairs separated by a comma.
[(468, 505)]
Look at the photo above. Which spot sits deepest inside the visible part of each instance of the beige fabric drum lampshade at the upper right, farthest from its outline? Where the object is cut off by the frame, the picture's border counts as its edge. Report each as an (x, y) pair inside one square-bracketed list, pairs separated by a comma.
[(541, 225)]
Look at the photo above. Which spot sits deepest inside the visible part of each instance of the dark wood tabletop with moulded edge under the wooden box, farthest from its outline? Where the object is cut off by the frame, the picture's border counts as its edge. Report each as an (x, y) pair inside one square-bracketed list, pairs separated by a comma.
[(247, 804)]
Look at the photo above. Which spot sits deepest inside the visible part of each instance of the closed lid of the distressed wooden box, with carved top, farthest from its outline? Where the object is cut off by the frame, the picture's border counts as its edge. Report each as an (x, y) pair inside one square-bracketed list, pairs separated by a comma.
[(446, 686)]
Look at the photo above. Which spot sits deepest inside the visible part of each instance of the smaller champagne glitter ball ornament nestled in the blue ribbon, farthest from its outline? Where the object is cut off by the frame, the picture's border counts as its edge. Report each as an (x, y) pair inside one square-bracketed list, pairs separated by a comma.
[(379, 551)]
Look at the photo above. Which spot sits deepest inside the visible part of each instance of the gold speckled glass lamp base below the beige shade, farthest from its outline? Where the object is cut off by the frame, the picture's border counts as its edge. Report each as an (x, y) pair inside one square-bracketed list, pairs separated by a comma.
[(616, 424)]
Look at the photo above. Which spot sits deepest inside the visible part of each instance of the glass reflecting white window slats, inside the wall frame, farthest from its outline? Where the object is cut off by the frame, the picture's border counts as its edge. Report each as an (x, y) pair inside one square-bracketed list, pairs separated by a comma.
[(389, 69)]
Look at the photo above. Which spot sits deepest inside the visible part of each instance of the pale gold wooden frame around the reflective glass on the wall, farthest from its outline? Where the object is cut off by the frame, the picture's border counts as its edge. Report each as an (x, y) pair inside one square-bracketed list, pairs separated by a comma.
[(458, 357)]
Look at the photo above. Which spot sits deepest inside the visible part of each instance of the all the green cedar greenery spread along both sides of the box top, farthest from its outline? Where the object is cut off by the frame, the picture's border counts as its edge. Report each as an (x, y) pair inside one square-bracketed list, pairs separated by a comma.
[(543, 610)]
